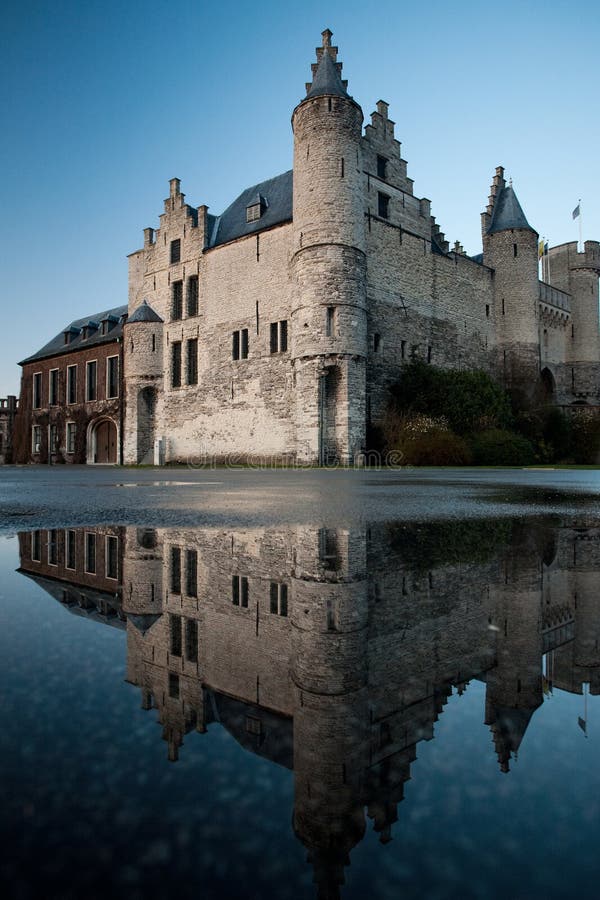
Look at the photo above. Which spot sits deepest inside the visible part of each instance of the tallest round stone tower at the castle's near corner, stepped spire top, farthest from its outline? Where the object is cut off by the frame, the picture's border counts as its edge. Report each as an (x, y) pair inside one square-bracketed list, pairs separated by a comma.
[(329, 317)]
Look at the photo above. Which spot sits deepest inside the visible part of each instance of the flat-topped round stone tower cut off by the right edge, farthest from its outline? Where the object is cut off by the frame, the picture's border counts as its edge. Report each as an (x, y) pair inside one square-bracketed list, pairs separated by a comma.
[(577, 274)]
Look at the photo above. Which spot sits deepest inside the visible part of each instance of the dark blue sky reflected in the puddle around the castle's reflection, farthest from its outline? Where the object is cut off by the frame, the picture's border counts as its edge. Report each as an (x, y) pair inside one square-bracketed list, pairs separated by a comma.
[(88, 790)]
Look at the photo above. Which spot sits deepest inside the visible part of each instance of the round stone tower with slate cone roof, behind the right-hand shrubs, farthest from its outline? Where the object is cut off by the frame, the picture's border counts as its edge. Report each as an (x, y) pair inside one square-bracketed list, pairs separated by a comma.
[(510, 247)]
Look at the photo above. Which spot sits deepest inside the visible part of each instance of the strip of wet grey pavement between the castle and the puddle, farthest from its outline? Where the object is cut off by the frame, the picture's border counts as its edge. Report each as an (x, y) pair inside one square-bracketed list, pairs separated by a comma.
[(56, 497)]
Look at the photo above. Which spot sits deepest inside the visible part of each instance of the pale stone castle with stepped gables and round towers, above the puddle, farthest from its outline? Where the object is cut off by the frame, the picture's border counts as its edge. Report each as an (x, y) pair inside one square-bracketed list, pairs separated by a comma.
[(276, 329)]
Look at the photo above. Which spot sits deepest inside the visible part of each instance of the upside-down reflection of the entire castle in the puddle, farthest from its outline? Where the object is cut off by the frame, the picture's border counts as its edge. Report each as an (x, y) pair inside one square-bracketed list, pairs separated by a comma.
[(333, 651)]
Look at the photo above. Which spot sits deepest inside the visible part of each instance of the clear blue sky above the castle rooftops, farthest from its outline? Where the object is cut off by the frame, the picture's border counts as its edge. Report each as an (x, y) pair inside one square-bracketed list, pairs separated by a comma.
[(104, 102)]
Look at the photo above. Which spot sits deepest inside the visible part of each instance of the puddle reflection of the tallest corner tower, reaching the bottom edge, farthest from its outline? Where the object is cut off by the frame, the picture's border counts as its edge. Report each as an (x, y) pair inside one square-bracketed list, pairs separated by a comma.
[(329, 670)]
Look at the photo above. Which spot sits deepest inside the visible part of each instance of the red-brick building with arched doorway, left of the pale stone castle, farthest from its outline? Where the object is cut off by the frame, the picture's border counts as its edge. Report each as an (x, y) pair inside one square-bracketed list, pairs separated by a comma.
[(70, 407)]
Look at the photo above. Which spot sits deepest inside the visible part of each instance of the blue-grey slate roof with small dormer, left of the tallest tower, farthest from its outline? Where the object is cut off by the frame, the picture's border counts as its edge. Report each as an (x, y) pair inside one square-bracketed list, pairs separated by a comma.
[(276, 194)]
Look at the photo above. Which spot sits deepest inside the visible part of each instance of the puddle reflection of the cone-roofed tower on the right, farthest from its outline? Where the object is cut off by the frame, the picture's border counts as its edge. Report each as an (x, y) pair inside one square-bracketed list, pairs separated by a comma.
[(514, 685)]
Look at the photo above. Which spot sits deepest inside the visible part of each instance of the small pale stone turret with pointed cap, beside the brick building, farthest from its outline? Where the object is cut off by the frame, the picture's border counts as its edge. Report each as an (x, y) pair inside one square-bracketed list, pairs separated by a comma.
[(143, 370)]
